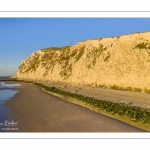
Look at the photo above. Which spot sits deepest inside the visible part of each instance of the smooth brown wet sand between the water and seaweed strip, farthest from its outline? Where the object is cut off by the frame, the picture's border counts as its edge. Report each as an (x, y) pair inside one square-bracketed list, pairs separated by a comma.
[(39, 111)]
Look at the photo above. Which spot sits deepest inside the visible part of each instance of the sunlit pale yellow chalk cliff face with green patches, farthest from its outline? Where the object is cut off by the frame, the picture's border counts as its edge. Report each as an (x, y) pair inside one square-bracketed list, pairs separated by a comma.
[(122, 61)]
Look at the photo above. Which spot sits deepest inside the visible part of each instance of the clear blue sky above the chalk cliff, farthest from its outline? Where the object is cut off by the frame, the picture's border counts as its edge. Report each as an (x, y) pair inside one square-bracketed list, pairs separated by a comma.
[(19, 37)]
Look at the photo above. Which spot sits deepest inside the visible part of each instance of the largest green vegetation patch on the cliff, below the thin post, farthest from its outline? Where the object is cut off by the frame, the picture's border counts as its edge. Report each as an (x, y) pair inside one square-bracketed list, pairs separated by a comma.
[(63, 57)]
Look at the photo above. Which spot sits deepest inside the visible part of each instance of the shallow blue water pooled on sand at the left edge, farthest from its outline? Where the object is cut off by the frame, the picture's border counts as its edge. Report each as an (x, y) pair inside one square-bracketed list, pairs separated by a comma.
[(6, 92)]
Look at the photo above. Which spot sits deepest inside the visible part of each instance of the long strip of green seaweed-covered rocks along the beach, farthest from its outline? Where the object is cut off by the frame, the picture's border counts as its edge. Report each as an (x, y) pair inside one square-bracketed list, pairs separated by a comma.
[(133, 113)]
